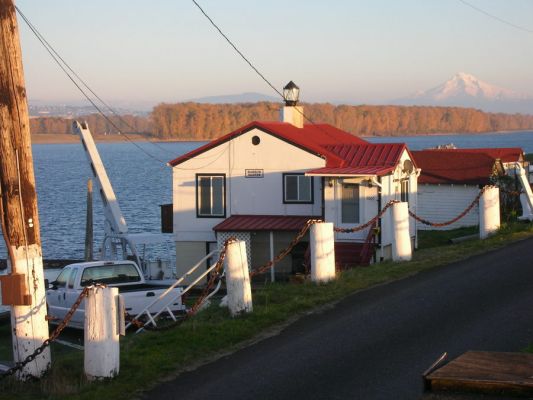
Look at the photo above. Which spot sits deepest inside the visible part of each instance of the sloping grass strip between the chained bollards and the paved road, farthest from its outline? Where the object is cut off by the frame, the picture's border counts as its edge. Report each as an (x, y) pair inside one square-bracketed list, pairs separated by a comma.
[(147, 357)]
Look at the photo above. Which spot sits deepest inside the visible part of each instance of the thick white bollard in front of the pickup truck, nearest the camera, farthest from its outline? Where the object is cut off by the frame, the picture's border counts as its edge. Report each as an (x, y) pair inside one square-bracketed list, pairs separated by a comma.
[(101, 347)]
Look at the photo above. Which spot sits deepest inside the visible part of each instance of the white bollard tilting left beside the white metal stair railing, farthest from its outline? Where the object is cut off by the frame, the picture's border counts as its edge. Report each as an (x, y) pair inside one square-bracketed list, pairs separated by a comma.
[(238, 279)]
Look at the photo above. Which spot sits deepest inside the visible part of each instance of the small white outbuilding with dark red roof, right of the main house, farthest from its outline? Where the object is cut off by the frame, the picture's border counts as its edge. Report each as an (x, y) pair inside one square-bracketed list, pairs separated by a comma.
[(452, 178)]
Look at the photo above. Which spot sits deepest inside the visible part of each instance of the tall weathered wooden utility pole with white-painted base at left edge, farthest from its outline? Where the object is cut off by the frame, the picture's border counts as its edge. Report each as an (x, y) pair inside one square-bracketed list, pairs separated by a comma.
[(20, 219)]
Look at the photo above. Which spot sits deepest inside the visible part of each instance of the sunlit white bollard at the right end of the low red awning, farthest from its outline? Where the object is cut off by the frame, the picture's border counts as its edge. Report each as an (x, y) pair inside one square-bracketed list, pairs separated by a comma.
[(322, 242)]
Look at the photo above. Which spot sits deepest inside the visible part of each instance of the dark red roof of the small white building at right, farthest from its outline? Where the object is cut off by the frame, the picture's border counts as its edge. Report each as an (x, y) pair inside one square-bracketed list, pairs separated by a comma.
[(452, 166)]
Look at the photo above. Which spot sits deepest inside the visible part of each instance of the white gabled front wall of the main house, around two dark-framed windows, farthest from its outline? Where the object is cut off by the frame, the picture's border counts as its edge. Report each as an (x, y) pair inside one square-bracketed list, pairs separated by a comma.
[(256, 196)]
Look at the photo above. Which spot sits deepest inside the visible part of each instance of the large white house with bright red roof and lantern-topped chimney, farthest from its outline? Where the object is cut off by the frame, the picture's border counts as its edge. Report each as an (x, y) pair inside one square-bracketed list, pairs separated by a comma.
[(263, 181)]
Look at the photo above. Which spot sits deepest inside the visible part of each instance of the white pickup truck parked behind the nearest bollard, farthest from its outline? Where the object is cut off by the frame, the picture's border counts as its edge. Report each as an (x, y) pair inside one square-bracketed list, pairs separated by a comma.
[(137, 293)]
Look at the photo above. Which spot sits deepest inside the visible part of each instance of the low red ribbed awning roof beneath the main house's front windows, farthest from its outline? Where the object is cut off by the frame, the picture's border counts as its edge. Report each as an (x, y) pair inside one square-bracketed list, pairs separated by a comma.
[(239, 223)]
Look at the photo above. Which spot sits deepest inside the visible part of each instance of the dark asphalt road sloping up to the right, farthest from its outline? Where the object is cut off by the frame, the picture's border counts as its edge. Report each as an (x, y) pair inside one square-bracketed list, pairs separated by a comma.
[(376, 344)]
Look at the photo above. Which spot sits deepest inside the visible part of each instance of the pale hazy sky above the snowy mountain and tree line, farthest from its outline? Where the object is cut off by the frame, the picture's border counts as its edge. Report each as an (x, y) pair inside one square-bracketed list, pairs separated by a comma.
[(349, 51)]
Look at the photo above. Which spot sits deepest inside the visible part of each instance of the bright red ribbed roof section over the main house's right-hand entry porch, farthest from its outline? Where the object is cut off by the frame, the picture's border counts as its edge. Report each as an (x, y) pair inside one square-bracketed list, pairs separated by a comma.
[(365, 159)]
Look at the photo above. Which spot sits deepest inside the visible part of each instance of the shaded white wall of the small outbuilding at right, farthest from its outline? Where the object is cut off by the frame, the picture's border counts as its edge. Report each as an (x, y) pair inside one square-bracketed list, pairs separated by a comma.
[(440, 203)]
